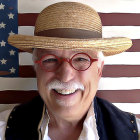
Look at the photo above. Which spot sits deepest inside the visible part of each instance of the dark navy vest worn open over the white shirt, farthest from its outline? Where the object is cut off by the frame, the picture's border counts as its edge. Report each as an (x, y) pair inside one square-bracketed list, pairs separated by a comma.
[(112, 123)]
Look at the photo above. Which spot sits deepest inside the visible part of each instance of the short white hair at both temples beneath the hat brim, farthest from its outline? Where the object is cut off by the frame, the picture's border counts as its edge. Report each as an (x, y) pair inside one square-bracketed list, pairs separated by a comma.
[(100, 58)]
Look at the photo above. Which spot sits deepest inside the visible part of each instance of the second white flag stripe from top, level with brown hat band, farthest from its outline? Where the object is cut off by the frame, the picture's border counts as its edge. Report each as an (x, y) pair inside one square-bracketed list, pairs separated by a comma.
[(132, 32)]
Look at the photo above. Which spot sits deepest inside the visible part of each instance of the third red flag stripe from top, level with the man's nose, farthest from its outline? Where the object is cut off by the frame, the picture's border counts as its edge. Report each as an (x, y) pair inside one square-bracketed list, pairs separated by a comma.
[(108, 71)]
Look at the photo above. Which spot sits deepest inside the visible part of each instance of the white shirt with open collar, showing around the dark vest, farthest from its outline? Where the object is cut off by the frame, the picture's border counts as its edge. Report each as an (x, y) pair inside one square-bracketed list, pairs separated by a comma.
[(89, 126)]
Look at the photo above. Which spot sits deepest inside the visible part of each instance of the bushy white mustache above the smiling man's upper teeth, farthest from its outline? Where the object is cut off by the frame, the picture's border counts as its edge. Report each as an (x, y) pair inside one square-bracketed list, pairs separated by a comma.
[(56, 84)]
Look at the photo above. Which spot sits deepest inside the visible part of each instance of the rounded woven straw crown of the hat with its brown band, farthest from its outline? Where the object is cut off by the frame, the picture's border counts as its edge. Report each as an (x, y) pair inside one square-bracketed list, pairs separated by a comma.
[(70, 16)]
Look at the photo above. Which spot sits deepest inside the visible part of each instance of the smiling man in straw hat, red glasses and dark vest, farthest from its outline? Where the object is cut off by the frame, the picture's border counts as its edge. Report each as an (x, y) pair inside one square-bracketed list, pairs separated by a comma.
[(68, 53)]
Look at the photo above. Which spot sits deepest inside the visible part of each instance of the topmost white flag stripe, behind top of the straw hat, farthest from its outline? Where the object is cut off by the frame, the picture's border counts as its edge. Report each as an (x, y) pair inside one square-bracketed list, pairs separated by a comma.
[(105, 6)]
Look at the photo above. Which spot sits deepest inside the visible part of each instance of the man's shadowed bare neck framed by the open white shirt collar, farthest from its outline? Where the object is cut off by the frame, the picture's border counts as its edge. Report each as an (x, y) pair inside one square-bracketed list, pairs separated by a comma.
[(63, 128)]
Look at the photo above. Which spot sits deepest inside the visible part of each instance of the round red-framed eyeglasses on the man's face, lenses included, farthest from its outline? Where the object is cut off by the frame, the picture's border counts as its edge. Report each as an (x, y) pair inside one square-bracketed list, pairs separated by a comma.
[(79, 61)]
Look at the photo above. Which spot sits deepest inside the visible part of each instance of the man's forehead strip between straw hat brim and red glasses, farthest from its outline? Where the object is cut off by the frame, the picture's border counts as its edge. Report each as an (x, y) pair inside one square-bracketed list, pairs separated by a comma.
[(65, 53)]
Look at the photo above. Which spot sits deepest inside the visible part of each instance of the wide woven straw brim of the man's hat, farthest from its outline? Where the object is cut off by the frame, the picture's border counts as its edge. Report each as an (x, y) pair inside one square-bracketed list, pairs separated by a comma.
[(109, 46)]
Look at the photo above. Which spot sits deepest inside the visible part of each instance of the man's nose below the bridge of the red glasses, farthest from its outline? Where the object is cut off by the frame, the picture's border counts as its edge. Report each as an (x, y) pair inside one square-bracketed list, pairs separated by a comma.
[(65, 72)]
